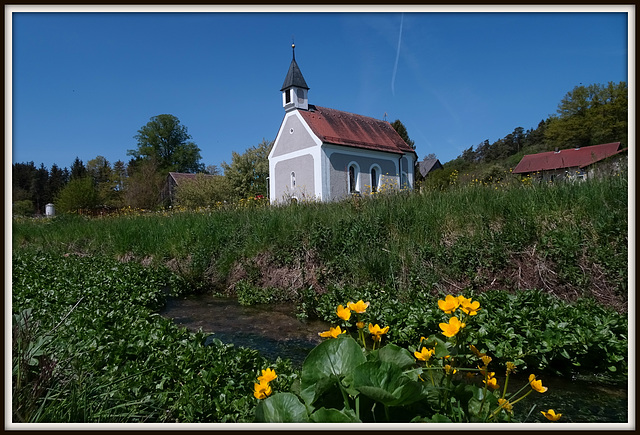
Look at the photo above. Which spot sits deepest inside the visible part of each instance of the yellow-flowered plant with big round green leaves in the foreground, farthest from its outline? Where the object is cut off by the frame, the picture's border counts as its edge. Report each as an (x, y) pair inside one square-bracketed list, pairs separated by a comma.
[(345, 379)]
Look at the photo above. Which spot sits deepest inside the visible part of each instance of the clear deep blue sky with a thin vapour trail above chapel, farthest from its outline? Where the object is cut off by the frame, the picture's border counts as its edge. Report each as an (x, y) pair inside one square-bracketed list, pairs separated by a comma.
[(83, 84)]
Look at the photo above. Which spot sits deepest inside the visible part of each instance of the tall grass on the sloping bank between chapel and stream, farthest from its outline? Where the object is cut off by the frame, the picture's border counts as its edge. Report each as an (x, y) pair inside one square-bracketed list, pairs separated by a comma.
[(465, 236)]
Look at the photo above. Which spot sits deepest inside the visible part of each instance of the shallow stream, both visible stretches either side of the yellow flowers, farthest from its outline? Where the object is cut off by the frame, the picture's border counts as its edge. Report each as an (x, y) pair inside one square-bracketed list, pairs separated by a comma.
[(275, 331)]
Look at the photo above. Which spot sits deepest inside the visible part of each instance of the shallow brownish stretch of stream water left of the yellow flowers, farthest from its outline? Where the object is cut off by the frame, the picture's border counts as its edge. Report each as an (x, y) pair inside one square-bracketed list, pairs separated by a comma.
[(272, 330)]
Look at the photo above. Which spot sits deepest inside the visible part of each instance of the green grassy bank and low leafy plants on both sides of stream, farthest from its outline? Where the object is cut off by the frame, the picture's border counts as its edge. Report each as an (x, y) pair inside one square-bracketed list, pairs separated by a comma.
[(548, 264)]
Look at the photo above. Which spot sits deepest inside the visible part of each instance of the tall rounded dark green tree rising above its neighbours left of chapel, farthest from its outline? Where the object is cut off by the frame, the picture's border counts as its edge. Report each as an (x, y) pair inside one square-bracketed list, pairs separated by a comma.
[(164, 140)]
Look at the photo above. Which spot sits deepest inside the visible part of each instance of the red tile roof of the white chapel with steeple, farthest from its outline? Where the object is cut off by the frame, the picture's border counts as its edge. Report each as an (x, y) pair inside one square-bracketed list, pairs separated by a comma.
[(344, 128)]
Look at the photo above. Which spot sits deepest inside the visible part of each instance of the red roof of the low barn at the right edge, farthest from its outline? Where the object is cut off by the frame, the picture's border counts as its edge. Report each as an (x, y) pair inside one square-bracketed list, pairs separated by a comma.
[(568, 158)]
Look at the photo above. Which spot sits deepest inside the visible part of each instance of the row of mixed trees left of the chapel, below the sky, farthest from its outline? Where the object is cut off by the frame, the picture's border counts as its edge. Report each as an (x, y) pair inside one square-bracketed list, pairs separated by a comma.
[(163, 145)]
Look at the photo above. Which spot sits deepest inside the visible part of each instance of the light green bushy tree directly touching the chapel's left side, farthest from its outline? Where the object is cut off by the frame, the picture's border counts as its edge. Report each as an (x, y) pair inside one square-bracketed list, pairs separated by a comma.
[(248, 173)]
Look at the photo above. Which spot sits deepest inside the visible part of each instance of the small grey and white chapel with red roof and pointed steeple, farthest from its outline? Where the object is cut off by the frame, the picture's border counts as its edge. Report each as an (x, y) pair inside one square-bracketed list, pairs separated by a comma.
[(327, 154)]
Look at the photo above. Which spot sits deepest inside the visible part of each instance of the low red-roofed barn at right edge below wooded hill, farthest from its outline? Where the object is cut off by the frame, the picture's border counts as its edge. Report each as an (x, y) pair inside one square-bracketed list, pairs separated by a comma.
[(572, 163)]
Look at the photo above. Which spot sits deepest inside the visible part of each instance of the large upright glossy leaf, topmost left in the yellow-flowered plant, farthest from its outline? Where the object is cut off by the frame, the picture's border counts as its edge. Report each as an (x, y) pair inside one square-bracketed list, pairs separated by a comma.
[(327, 363)]
